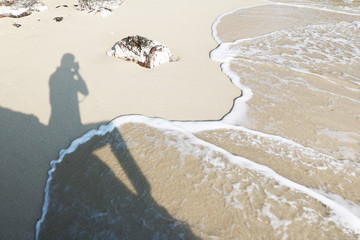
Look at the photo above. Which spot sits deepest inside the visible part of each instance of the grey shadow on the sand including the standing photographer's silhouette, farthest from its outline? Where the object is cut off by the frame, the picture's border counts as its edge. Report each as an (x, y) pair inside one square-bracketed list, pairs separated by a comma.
[(27, 146)]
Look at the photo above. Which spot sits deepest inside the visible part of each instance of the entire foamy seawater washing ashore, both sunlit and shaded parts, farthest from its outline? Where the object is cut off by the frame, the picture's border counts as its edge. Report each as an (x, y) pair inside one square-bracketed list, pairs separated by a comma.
[(284, 163)]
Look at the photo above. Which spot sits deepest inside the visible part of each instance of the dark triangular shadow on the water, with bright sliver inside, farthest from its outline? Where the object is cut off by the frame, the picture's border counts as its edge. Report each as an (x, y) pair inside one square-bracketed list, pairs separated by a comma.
[(99, 192)]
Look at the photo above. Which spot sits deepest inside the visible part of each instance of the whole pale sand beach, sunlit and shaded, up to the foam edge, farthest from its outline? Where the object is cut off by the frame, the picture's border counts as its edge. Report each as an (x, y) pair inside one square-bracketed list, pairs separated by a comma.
[(193, 88)]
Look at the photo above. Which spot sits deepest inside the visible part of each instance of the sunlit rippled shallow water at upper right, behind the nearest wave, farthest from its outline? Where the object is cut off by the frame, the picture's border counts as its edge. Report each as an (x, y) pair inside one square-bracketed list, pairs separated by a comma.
[(304, 79)]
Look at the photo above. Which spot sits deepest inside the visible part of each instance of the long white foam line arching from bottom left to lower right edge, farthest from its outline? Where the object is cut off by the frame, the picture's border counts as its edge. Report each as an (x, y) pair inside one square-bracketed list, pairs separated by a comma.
[(341, 214)]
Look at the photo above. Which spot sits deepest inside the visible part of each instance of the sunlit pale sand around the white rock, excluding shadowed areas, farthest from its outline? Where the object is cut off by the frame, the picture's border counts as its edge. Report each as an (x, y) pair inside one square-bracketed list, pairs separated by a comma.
[(190, 89)]
